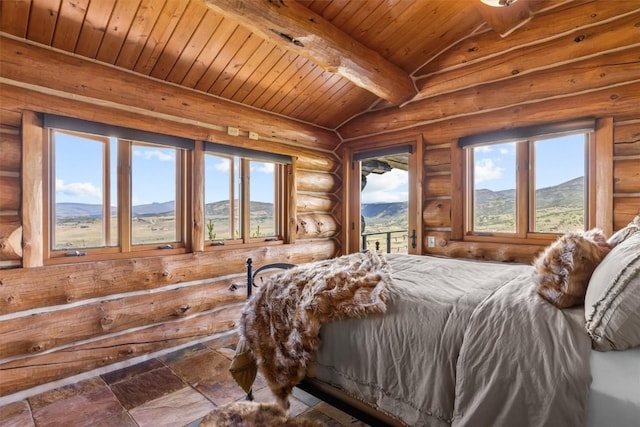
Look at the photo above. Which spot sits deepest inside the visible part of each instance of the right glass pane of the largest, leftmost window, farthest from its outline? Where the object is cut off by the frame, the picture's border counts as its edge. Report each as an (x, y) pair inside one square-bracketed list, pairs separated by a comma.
[(153, 194)]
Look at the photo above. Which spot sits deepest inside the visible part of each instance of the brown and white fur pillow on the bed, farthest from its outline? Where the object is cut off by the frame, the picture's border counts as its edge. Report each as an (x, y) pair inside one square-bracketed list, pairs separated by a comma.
[(563, 270)]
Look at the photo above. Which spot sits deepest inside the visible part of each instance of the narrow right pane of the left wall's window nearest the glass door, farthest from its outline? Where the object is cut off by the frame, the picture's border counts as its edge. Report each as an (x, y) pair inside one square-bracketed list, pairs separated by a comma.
[(262, 191)]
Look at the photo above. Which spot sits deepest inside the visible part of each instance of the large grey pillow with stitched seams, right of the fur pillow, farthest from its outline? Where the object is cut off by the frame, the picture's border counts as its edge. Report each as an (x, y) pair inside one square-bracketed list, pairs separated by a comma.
[(612, 301)]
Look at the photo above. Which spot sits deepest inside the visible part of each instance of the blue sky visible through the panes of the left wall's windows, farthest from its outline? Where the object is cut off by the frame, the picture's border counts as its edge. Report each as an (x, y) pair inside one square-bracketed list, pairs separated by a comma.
[(79, 174)]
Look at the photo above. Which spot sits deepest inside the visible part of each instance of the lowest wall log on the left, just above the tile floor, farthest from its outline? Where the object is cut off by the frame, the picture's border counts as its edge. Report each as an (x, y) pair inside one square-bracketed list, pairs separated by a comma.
[(42, 368)]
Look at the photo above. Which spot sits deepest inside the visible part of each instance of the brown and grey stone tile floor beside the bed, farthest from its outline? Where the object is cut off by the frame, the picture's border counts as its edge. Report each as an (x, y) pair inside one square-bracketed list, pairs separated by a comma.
[(177, 389)]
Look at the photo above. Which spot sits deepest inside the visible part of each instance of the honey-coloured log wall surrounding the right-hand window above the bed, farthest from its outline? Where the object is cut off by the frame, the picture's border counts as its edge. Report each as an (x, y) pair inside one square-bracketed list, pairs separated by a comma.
[(555, 68)]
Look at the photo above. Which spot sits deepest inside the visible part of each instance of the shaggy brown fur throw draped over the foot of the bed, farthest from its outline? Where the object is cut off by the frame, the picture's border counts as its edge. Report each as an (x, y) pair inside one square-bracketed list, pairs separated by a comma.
[(281, 322)]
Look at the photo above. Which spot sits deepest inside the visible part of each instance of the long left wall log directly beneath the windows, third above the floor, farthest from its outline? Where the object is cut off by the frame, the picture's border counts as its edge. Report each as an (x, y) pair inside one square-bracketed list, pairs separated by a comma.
[(24, 289)]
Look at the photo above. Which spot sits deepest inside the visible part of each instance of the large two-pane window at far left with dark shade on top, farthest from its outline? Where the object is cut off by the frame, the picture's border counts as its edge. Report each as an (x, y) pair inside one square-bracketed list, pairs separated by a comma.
[(95, 208)]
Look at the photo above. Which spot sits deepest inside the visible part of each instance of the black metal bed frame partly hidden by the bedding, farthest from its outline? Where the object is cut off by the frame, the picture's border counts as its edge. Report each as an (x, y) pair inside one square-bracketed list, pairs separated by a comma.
[(311, 386)]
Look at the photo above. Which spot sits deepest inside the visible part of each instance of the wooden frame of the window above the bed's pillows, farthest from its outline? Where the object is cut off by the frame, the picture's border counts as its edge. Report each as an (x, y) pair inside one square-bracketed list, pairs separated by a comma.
[(524, 138)]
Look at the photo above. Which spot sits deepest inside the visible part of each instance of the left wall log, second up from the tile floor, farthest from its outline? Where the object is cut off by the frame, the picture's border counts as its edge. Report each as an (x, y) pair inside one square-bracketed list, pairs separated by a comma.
[(59, 327)]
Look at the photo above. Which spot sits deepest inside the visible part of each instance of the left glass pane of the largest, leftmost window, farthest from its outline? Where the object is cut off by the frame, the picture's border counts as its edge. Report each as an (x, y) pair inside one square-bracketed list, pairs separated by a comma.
[(78, 192)]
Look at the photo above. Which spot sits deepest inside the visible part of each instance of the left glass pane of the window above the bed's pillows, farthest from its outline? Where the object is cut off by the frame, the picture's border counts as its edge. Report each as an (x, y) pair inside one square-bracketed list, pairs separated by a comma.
[(494, 183)]
